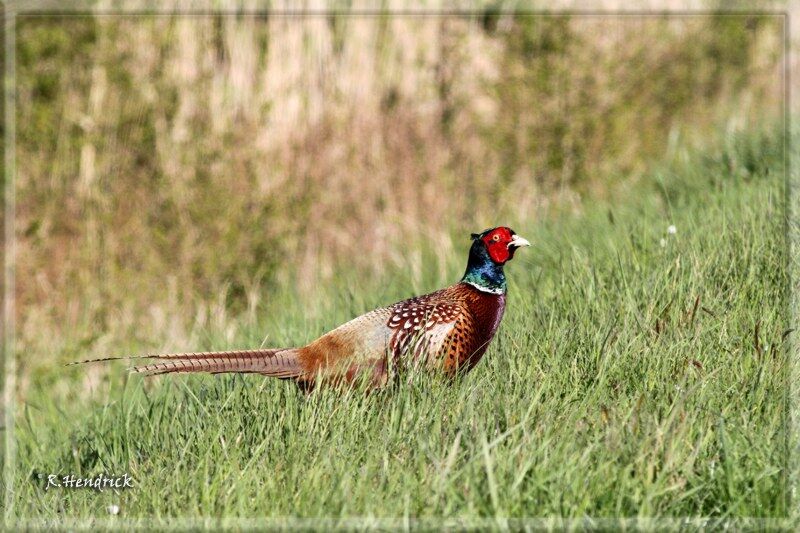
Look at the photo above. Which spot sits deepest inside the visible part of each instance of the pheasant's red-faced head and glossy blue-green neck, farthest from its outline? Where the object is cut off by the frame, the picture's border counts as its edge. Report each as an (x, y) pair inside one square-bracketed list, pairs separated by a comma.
[(490, 250)]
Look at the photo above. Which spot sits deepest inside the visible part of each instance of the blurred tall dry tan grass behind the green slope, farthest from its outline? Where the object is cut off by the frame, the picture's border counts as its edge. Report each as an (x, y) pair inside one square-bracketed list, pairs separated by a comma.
[(176, 169)]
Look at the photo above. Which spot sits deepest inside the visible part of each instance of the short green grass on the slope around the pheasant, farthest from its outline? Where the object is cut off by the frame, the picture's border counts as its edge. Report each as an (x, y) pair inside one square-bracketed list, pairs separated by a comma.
[(627, 379)]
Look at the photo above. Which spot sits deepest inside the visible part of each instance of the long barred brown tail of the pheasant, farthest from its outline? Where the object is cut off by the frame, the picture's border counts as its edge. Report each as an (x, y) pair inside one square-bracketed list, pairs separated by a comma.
[(279, 363)]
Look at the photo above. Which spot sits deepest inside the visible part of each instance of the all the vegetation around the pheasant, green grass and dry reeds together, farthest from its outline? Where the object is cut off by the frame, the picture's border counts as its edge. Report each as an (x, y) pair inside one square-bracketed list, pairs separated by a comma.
[(211, 182)]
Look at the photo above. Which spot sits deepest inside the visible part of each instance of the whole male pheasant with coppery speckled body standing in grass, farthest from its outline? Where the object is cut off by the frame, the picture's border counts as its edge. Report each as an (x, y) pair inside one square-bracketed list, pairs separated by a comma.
[(449, 329)]
